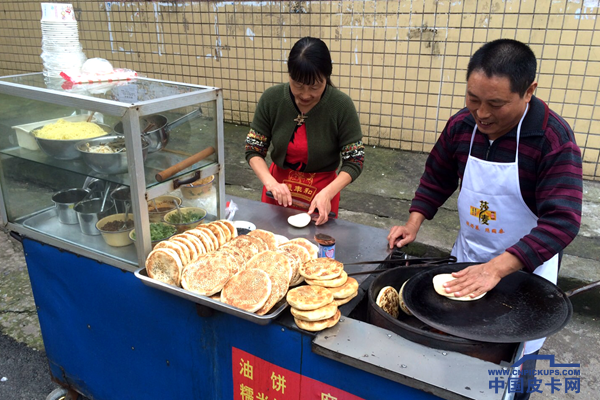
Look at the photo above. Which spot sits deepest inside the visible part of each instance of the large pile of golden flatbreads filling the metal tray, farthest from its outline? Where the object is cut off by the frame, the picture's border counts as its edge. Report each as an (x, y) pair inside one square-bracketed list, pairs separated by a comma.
[(252, 272)]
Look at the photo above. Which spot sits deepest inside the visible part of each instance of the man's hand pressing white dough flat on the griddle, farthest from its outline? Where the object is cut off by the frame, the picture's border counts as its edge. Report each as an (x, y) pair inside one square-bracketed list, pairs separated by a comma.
[(478, 279)]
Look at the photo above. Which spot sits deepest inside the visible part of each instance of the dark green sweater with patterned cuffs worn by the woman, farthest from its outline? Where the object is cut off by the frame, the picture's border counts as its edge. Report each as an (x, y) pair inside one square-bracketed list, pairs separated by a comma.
[(332, 129)]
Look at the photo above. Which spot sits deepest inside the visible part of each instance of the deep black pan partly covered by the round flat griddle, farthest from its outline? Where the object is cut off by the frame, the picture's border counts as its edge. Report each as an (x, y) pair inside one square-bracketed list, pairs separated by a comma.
[(416, 331)]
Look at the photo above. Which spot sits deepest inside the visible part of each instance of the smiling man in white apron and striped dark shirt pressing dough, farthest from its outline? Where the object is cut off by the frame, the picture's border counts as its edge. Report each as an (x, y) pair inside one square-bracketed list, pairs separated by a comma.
[(520, 178)]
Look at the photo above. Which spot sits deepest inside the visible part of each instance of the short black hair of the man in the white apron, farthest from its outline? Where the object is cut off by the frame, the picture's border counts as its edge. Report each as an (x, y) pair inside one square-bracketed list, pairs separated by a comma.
[(508, 58)]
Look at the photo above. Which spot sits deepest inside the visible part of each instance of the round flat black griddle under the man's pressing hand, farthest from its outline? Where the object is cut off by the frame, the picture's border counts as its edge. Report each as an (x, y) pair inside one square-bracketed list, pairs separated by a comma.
[(521, 307)]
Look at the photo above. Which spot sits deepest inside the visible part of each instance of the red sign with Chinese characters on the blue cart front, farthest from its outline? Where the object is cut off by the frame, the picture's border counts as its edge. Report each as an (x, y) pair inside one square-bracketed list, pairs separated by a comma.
[(257, 379)]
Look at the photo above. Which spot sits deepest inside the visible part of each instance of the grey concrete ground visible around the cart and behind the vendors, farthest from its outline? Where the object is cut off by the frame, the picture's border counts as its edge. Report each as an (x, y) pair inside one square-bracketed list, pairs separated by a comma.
[(380, 198)]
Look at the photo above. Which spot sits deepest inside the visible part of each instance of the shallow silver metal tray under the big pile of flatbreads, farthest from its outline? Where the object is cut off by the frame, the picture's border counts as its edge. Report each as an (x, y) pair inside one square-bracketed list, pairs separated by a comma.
[(208, 302)]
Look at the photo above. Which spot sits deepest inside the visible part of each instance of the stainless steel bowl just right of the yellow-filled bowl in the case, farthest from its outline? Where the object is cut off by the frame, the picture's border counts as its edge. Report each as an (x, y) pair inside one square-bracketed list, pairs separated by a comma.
[(107, 163)]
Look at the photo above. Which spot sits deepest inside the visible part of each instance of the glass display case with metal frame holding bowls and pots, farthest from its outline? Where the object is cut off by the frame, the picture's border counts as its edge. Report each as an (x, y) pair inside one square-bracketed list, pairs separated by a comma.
[(77, 162)]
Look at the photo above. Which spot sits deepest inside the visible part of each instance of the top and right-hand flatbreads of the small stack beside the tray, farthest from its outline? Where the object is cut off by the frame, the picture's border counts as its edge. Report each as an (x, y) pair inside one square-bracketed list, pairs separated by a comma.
[(329, 273)]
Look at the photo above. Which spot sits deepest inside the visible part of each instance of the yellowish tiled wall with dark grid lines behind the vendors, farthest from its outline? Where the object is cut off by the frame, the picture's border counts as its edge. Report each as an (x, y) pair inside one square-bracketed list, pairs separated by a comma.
[(403, 62)]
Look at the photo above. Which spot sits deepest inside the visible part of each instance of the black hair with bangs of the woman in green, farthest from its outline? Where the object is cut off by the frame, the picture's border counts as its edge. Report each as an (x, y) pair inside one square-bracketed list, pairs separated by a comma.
[(310, 61)]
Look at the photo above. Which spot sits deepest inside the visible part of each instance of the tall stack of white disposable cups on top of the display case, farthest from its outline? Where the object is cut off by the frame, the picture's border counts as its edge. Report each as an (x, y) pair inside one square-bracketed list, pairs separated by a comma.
[(61, 50)]
